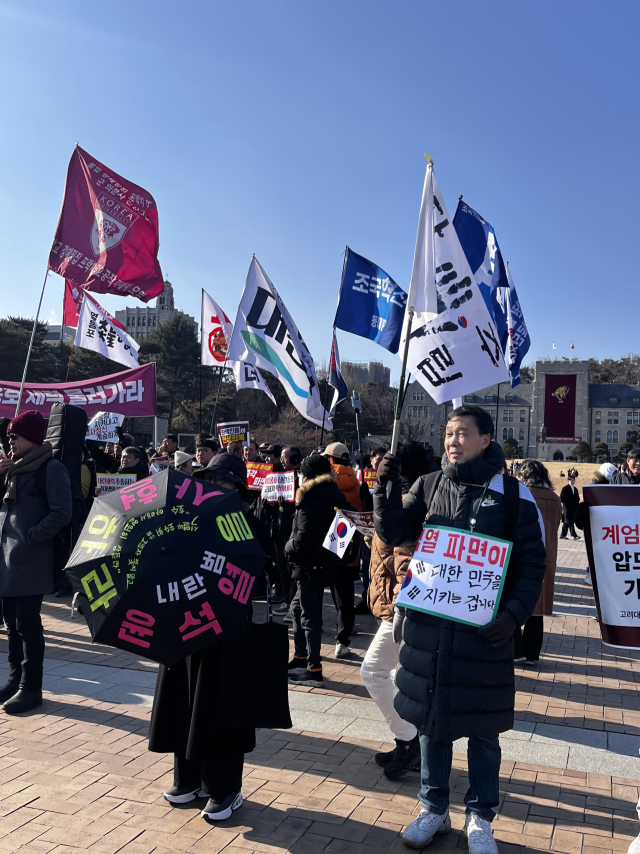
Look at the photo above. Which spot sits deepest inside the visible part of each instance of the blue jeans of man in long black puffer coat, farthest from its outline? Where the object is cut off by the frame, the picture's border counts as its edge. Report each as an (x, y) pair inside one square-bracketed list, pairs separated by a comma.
[(483, 760)]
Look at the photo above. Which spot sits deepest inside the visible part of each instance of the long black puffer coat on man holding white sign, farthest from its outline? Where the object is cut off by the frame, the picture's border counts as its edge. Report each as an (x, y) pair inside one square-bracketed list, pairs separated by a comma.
[(451, 682)]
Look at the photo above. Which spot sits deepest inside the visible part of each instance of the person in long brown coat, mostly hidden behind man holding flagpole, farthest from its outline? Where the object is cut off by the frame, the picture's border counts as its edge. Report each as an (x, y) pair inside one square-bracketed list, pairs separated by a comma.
[(528, 641)]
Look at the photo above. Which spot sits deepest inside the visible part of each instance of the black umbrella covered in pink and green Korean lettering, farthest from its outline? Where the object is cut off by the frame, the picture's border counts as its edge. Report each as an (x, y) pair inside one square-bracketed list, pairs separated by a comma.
[(165, 566)]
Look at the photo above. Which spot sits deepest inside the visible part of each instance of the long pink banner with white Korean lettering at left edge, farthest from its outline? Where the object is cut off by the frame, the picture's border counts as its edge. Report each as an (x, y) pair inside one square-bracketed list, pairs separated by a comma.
[(131, 393)]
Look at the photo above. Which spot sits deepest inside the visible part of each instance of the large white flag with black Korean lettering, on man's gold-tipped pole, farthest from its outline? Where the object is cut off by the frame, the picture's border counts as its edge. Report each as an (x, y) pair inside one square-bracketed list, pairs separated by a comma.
[(457, 351)]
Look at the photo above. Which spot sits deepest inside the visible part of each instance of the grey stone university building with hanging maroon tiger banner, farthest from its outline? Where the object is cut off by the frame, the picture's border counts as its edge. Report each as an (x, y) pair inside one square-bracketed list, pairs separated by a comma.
[(547, 417)]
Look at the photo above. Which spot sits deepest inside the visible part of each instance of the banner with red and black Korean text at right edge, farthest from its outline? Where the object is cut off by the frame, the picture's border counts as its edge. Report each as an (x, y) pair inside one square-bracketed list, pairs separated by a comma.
[(612, 537)]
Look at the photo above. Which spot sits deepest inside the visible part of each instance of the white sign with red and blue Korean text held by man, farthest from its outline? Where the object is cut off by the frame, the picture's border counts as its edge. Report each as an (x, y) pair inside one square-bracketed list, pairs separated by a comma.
[(457, 575)]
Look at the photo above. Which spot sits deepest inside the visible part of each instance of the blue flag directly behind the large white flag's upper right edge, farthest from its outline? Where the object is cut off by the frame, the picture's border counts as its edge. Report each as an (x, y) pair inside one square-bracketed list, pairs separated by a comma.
[(479, 243)]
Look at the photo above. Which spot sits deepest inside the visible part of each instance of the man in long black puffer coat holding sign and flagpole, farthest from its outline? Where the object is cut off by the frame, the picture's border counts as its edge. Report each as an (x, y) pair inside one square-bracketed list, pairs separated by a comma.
[(457, 680)]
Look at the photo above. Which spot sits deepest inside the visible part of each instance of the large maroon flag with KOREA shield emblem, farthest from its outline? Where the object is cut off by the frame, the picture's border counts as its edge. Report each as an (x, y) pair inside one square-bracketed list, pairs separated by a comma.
[(107, 234)]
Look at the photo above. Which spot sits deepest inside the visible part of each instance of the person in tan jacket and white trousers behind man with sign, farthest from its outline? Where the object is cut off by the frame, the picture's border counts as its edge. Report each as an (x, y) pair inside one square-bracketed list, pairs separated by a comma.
[(378, 671)]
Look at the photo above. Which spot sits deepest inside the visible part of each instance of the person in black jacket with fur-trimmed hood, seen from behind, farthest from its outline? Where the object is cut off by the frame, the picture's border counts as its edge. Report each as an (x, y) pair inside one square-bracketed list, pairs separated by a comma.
[(311, 565)]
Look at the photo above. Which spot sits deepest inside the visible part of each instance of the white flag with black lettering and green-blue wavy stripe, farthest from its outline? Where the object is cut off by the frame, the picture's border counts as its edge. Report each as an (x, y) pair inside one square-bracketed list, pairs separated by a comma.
[(264, 335)]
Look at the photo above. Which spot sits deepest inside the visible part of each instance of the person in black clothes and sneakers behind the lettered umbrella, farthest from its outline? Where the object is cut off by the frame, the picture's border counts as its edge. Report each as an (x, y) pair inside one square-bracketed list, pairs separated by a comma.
[(194, 711)]
